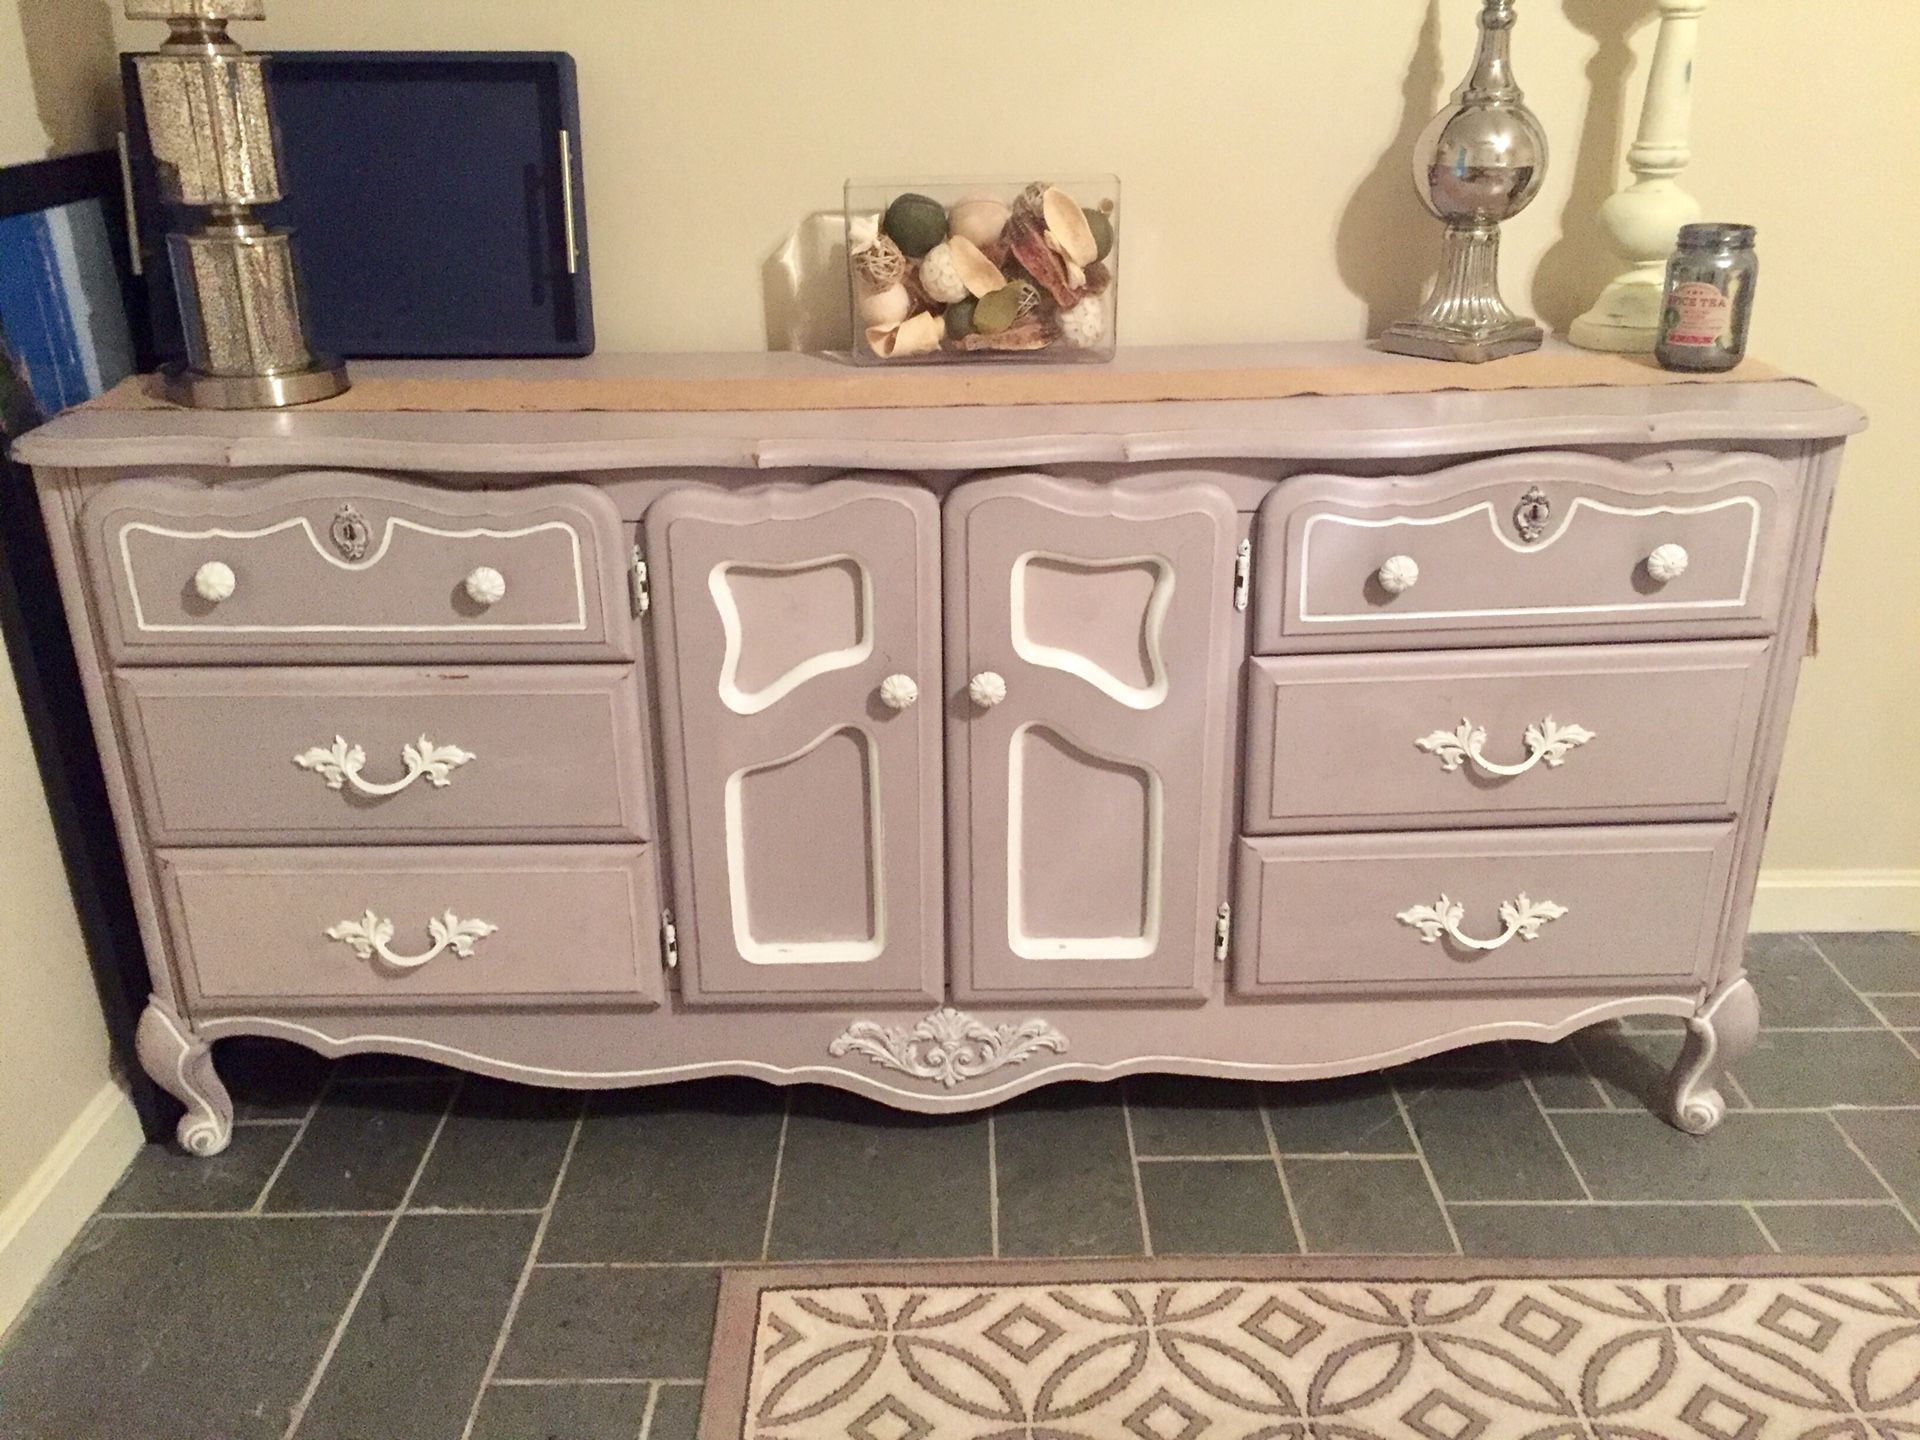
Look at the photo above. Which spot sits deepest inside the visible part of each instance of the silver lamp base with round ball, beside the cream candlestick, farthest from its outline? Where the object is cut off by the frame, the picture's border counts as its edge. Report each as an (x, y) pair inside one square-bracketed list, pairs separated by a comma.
[(1477, 164)]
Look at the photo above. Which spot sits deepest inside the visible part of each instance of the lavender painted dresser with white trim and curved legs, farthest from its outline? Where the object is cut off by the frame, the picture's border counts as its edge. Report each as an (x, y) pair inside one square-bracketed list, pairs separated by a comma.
[(944, 754)]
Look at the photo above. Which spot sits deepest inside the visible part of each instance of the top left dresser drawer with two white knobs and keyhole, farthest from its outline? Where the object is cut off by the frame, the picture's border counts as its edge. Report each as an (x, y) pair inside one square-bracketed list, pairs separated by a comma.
[(329, 567)]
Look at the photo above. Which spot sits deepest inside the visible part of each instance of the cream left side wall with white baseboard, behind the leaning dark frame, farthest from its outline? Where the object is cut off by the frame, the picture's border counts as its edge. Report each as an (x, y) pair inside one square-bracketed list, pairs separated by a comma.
[(66, 1130)]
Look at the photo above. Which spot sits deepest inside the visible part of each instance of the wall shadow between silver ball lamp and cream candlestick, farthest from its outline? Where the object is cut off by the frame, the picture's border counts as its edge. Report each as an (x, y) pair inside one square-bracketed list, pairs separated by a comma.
[(1579, 264)]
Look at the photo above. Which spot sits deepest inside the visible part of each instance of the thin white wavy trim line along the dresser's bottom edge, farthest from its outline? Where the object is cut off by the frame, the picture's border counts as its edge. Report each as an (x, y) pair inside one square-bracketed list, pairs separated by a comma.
[(1184, 1065)]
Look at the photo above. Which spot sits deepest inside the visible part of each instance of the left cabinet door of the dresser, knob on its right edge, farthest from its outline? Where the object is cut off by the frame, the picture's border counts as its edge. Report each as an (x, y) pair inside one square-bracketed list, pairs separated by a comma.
[(792, 631)]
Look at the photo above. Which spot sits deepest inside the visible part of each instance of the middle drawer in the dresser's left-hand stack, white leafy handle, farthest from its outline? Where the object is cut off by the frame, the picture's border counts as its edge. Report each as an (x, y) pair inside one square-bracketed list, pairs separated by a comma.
[(383, 756)]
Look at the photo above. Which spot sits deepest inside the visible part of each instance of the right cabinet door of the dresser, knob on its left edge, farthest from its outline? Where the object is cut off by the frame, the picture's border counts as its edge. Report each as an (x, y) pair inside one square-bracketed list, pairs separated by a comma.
[(1090, 667)]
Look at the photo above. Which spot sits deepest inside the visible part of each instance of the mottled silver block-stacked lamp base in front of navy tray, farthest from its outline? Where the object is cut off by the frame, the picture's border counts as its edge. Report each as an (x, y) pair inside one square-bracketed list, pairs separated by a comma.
[(214, 147)]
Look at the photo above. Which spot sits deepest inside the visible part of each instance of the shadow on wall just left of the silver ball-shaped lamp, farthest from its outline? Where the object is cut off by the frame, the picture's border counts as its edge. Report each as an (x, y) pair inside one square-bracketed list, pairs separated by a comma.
[(1385, 220)]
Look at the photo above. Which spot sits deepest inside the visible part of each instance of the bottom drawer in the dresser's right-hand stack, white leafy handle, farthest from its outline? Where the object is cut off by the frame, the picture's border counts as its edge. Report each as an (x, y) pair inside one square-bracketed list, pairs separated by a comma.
[(1608, 907)]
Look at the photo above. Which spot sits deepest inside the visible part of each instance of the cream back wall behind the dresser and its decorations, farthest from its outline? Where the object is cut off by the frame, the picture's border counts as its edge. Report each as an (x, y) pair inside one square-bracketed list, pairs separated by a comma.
[(1264, 153)]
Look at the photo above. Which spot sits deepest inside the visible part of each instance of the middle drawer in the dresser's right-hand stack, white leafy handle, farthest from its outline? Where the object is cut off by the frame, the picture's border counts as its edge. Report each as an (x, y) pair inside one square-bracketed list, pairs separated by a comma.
[(1499, 738)]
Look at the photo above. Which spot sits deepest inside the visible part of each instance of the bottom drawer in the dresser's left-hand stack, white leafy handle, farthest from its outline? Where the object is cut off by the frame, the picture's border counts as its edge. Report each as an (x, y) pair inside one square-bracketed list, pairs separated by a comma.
[(408, 928)]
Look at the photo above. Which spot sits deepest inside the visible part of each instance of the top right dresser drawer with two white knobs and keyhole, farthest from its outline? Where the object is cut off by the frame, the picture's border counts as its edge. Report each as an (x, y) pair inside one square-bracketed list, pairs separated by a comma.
[(1539, 548)]
